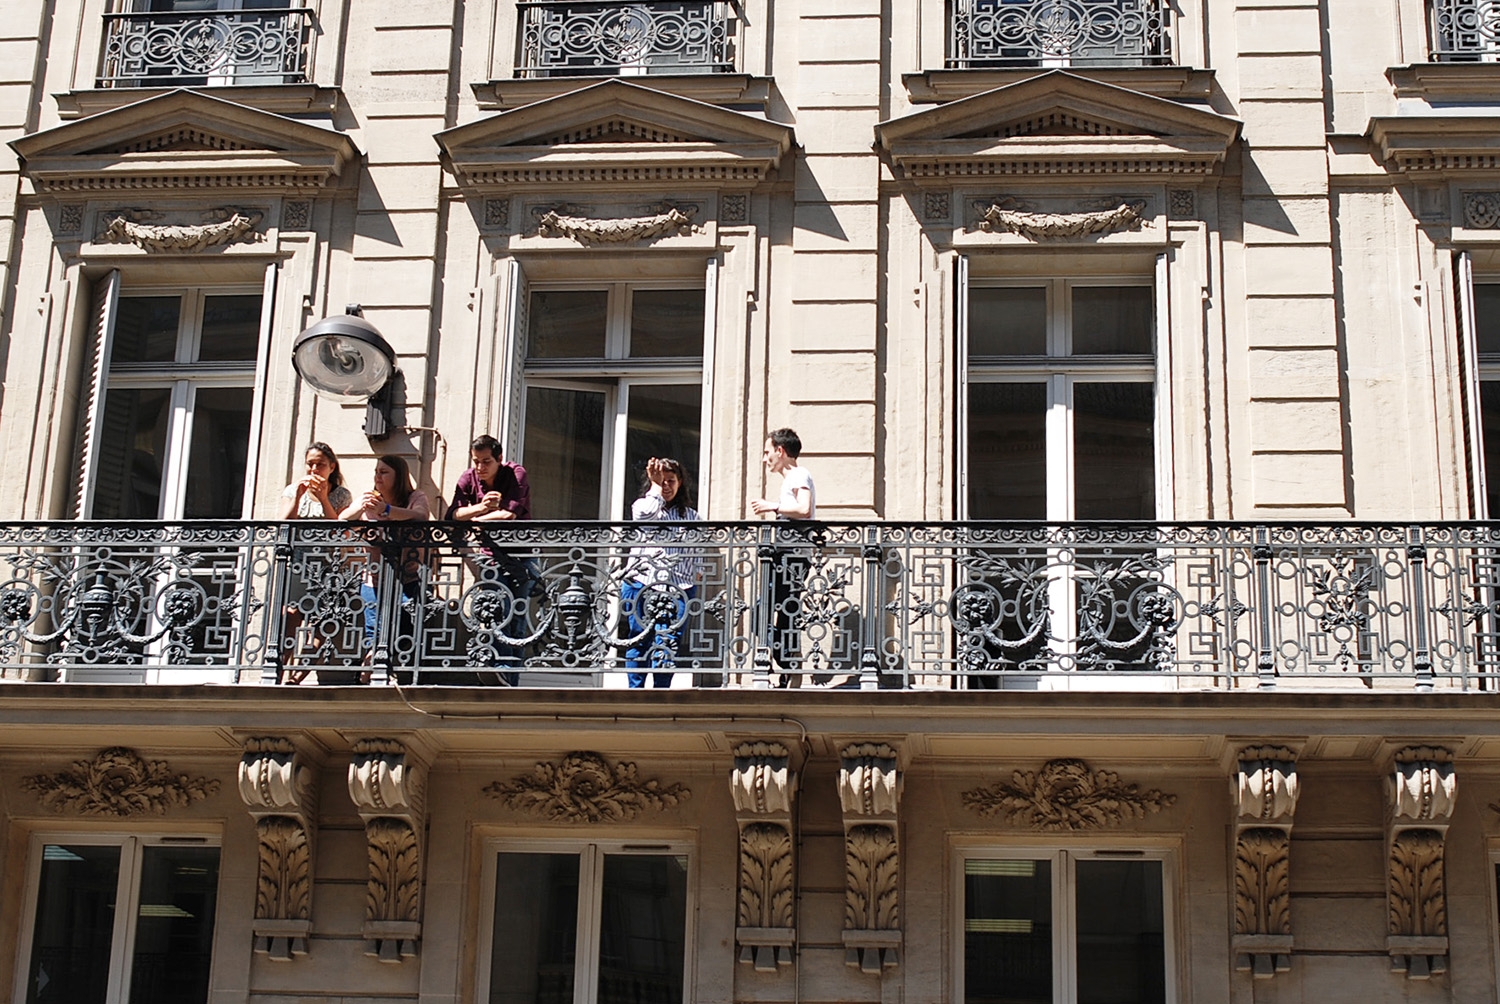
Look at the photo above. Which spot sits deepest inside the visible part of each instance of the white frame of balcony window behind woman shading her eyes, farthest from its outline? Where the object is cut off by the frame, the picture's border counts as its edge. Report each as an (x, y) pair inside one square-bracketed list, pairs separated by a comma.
[(616, 374)]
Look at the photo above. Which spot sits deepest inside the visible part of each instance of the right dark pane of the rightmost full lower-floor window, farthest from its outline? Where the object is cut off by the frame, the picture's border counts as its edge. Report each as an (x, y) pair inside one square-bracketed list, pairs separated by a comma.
[(1121, 934)]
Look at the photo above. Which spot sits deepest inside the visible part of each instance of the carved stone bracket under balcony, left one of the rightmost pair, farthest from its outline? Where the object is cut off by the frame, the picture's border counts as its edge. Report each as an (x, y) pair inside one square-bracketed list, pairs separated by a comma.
[(1267, 798)]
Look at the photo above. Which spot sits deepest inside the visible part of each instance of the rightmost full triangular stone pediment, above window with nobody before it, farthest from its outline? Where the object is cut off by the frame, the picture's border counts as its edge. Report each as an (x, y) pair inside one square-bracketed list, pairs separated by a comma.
[(1058, 124)]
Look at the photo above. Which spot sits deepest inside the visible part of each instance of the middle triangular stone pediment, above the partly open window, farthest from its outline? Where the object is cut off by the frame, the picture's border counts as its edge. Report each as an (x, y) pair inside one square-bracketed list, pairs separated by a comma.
[(616, 134)]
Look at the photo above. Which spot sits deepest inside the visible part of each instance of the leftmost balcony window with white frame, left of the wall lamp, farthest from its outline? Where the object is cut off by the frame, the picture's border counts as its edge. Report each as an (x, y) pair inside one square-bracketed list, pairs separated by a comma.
[(175, 428)]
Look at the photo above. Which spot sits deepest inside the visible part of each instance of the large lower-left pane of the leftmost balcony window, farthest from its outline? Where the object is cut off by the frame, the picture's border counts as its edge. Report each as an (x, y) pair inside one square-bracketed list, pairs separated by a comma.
[(133, 451)]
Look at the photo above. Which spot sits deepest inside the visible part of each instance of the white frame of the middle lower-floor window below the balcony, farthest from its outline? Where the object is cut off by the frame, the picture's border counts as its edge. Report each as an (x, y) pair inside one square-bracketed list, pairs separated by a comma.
[(590, 886)]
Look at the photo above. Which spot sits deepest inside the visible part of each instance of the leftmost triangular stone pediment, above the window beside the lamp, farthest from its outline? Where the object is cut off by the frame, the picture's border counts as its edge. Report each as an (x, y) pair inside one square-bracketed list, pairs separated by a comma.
[(164, 140)]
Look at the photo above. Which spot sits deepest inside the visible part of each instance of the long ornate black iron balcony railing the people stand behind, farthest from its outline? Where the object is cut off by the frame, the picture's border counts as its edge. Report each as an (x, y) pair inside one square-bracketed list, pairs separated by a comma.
[(733, 604)]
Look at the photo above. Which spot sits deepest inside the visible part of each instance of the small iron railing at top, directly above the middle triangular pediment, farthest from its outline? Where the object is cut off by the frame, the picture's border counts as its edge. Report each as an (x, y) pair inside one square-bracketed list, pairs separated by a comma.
[(560, 38)]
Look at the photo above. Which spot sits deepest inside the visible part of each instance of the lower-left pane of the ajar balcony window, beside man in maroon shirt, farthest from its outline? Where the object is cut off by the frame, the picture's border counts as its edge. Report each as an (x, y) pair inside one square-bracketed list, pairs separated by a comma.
[(565, 452)]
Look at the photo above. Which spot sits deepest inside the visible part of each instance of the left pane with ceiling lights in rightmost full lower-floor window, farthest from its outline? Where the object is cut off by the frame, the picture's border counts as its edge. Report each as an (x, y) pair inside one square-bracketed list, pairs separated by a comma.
[(1007, 933)]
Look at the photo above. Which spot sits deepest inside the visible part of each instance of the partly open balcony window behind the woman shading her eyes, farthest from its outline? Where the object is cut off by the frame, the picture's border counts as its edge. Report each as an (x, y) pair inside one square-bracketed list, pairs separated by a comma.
[(614, 376)]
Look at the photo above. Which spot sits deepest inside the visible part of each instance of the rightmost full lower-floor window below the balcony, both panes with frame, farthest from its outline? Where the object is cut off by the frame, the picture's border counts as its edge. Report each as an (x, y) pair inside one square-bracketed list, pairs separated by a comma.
[(1066, 928)]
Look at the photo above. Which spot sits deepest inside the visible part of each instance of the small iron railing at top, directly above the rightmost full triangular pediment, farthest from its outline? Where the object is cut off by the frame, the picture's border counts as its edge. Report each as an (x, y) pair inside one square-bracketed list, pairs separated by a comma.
[(1060, 34)]
